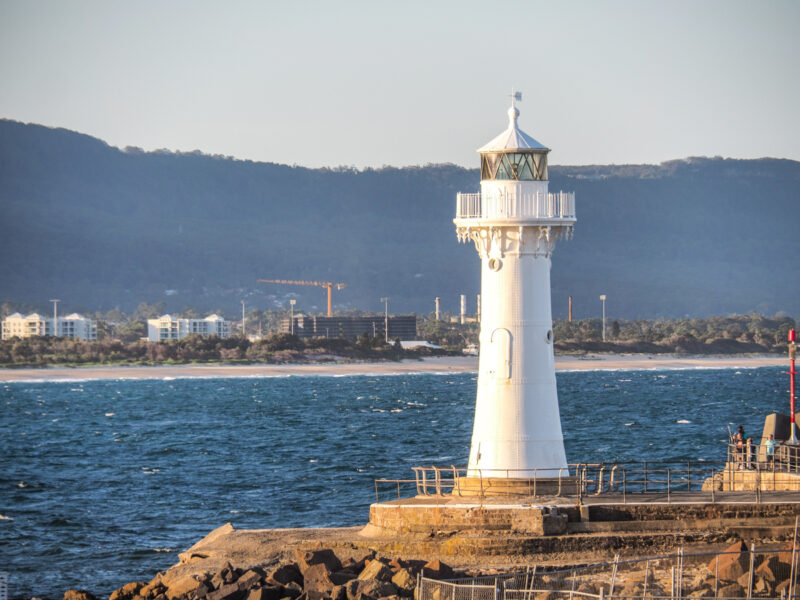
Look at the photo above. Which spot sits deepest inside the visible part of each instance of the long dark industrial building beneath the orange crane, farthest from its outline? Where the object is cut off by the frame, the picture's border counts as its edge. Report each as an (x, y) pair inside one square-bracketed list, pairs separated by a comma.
[(402, 327)]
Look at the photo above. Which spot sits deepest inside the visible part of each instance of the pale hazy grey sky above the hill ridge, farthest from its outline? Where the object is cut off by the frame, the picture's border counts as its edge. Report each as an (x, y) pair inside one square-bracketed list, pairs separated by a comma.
[(398, 83)]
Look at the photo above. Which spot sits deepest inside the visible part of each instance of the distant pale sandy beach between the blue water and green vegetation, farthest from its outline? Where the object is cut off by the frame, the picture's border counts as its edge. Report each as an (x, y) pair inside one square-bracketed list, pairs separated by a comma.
[(427, 365)]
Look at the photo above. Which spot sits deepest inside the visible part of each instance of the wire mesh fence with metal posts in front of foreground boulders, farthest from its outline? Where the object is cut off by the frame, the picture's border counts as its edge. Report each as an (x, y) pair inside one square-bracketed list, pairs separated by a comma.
[(756, 571)]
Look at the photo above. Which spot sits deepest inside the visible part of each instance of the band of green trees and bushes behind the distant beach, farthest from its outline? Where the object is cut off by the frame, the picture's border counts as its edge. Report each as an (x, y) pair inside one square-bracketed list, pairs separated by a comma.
[(716, 335)]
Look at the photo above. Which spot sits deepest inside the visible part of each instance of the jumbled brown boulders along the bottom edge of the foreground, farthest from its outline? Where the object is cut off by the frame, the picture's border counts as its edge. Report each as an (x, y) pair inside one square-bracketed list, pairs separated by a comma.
[(321, 574)]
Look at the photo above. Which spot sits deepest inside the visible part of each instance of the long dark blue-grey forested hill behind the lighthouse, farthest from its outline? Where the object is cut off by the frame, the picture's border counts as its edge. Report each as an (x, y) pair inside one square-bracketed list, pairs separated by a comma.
[(101, 227)]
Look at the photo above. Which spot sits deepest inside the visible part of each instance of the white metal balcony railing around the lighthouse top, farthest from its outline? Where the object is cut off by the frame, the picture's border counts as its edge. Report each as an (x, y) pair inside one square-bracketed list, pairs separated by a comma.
[(511, 205)]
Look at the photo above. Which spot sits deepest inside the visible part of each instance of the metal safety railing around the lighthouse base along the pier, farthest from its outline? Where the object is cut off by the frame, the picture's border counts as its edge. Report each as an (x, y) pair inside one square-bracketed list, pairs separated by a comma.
[(619, 482)]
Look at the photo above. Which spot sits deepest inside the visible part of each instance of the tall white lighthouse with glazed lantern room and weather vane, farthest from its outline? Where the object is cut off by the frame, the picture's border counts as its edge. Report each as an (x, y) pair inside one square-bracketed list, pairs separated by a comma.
[(515, 223)]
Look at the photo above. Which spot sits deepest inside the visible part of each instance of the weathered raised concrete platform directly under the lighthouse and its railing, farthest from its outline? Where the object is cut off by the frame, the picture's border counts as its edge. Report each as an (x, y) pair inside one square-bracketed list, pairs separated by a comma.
[(547, 516)]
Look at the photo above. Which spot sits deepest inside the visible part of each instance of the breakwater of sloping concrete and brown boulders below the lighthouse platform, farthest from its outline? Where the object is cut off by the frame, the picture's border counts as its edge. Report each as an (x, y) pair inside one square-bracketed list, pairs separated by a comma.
[(356, 563)]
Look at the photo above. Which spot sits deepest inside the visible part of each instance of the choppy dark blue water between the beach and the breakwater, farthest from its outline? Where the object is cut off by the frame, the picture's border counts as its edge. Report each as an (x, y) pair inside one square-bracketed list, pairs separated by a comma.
[(104, 482)]
